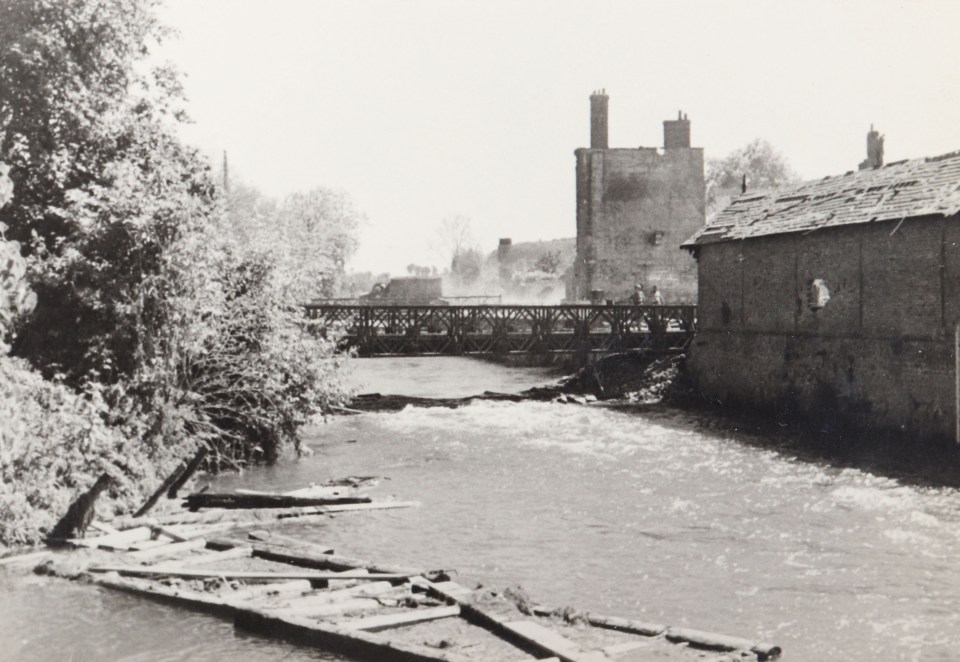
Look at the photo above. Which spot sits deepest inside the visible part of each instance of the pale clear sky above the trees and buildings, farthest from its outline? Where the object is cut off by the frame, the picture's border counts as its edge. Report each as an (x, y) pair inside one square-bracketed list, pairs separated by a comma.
[(423, 110)]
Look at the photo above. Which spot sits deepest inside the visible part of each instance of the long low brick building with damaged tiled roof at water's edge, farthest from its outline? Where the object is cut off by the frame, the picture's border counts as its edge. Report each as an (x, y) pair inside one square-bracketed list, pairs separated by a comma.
[(838, 297)]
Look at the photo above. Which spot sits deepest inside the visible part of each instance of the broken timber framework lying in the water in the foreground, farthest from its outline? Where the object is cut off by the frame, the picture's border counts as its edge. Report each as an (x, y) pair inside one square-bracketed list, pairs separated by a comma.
[(368, 610)]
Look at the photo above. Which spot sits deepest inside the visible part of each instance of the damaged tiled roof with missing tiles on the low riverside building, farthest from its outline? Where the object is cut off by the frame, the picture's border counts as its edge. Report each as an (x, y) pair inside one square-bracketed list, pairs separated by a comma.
[(905, 189)]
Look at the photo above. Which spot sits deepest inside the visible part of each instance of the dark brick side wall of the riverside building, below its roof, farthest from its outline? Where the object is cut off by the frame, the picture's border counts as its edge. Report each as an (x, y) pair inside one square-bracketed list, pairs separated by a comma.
[(879, 351)]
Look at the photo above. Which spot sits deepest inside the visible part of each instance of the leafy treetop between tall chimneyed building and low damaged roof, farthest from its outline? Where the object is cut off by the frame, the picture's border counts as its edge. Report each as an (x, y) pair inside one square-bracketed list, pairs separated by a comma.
[(762, 165)]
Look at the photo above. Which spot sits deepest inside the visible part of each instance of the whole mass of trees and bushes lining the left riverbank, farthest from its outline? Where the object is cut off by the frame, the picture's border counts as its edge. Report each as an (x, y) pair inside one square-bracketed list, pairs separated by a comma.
[(154, 329)]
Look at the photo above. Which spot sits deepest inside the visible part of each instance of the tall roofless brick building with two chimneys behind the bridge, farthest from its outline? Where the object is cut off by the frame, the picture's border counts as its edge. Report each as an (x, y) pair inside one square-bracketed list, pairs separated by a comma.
[(634, 208)]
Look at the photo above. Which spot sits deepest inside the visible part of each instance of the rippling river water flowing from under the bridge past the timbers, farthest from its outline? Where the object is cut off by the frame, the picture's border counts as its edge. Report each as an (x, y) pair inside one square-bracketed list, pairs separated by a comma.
[(658, 514)]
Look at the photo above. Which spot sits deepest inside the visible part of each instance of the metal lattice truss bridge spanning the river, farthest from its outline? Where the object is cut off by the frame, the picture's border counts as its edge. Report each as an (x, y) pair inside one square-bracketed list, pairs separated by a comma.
[(453, 330)]
